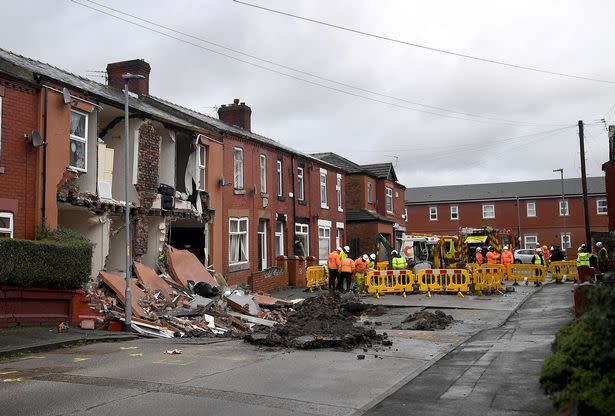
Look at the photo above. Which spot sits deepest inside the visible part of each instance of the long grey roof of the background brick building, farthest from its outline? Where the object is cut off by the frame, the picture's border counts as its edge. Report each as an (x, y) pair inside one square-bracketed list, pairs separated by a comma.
[(551, 188)]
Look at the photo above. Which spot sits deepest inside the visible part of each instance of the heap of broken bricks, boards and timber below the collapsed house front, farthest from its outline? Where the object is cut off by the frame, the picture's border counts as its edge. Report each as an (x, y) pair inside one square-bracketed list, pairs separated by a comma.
[(185, 302)]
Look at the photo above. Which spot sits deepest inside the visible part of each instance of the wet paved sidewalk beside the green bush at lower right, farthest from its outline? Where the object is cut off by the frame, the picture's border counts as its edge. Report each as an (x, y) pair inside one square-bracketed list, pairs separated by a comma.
[(493, 373)]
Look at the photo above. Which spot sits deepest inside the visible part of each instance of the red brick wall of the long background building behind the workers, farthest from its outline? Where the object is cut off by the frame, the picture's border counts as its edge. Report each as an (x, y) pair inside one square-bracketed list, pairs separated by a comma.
[(547, 224)]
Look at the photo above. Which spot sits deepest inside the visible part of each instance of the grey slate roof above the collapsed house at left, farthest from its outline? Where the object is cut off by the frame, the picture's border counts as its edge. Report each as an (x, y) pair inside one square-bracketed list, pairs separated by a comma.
[(29, 69)]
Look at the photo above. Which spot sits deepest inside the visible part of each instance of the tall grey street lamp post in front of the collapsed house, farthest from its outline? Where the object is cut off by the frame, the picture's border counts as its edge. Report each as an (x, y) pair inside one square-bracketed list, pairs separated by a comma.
[(128, 293)]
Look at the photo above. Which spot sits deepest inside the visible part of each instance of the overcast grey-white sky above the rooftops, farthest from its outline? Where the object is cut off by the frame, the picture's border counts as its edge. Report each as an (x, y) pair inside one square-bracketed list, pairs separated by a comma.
[(573, 37)]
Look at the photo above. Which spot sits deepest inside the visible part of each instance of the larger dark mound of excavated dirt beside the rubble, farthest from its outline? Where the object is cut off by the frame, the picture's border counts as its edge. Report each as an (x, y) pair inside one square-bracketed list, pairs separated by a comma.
[(320, 322)]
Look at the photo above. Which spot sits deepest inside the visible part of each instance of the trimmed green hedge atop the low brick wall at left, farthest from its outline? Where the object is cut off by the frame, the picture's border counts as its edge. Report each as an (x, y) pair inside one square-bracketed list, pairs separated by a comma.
[(59, 258)]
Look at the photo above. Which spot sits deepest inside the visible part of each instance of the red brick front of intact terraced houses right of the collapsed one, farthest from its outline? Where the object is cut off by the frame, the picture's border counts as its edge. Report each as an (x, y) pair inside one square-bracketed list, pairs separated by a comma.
[(250, 203)]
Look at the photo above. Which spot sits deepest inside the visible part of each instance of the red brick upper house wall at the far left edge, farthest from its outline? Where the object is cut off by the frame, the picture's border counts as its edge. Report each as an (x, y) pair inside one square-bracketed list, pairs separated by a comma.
[(18, 158)]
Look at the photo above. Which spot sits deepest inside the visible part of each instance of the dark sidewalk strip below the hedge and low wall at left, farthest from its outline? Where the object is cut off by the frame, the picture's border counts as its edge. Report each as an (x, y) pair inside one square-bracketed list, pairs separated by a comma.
[(18, 340)]
